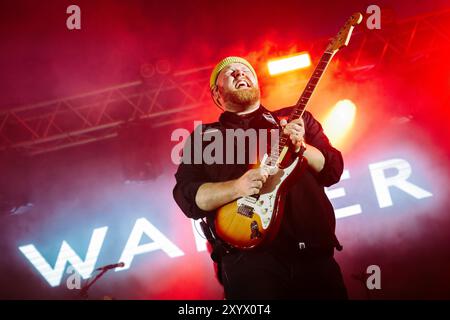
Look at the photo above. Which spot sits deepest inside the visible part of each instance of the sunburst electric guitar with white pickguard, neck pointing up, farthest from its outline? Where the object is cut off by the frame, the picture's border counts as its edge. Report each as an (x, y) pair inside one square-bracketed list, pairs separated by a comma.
[(249, 221)]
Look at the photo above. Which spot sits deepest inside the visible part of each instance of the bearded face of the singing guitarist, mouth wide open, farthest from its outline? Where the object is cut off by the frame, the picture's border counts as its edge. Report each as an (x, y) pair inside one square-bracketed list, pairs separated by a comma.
[(238, 87)]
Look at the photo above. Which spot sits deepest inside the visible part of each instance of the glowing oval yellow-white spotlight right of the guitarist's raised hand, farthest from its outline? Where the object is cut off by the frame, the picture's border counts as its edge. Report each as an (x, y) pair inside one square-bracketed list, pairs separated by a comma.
[(339, 121)]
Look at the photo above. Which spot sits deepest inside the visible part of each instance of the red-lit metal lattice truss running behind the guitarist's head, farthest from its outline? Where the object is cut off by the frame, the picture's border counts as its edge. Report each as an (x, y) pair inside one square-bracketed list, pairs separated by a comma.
[(173, 97)]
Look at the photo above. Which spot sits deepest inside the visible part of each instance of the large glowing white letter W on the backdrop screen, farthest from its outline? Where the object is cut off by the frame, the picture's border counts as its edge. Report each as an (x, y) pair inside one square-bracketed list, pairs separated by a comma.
[(66, 255)]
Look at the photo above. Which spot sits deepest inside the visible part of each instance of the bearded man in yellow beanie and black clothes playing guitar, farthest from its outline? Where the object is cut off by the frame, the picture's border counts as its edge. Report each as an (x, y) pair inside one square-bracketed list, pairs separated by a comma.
[(298, 262)]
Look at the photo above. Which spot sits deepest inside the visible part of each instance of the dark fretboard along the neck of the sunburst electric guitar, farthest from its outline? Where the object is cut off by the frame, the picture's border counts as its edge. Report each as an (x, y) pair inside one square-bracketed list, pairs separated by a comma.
[(302, 102)]
